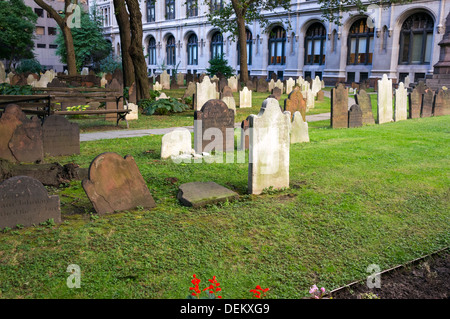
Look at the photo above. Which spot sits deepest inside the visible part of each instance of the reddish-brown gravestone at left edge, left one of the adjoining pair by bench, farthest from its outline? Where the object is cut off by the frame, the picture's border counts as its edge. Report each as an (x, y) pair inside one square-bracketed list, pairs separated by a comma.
[(20, 137)]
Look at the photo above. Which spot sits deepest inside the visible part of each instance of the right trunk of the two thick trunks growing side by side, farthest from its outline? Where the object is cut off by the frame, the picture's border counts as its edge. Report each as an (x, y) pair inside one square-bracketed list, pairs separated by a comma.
[(136, 50)]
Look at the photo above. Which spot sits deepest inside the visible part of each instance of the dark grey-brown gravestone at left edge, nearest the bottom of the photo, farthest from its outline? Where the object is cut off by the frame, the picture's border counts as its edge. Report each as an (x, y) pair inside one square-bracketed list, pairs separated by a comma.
[(25, 201)]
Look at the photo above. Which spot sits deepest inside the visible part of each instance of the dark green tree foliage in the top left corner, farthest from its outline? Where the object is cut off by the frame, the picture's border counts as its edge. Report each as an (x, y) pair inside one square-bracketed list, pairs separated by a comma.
[(17, 24)]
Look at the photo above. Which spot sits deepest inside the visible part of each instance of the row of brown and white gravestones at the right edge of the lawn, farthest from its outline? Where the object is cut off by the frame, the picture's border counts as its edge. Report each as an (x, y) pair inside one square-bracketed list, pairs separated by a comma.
[(423, 102)]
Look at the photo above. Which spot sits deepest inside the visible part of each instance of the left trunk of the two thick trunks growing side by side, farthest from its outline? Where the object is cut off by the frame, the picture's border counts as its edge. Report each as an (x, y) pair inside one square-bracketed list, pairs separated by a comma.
[(123, 22)]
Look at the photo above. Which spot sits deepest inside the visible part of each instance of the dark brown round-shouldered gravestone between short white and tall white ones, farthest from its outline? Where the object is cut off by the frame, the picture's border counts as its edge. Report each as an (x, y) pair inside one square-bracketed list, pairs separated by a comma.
[(212, 126)]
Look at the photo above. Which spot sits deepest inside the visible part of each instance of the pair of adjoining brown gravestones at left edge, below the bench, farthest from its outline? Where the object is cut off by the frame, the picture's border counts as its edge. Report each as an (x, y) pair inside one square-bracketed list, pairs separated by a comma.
[(24, 140)]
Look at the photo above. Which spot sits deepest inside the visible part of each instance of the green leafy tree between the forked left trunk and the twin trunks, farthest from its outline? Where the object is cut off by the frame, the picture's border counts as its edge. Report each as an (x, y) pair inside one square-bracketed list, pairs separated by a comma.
[(88, 41)]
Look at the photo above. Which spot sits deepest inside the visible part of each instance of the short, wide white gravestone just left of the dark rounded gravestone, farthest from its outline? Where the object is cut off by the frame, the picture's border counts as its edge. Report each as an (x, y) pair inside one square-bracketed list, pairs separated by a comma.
[(176, 143)]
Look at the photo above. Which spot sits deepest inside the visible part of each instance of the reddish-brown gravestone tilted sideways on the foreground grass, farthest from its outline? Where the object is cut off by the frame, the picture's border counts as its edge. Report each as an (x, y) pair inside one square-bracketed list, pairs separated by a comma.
[(115, 184)]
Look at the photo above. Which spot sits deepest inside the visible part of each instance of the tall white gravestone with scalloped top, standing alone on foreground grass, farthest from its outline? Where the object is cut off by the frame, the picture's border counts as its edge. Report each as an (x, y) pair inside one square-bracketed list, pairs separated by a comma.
[(269, 148)]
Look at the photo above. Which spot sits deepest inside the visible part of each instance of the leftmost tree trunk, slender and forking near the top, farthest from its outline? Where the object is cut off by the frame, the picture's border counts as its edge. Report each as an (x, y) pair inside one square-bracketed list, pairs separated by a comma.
[(68, 40)]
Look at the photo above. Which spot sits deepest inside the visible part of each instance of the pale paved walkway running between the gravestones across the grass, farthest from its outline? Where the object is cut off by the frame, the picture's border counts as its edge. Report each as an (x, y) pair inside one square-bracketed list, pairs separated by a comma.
[(146, 132)]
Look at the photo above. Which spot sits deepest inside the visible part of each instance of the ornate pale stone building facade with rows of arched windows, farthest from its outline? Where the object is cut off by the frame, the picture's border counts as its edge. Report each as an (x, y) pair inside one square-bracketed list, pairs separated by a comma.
[(397, 40)]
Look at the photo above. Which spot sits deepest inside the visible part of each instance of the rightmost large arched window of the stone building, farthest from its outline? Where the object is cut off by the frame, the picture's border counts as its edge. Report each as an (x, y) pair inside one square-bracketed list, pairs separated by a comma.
[(416, 39)]
